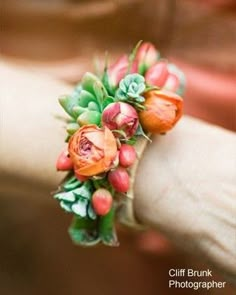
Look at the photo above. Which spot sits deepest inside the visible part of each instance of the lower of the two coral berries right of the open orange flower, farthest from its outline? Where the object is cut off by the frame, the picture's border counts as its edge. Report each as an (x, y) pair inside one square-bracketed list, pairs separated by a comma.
[(119, 179)]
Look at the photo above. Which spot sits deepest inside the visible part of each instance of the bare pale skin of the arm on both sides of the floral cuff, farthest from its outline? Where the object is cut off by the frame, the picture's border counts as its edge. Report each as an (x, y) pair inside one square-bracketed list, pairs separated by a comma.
[(186, 181)]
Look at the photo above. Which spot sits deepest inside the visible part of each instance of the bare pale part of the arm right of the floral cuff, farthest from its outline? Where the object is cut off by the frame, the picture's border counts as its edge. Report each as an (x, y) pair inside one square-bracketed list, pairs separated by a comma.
[(186, 188)]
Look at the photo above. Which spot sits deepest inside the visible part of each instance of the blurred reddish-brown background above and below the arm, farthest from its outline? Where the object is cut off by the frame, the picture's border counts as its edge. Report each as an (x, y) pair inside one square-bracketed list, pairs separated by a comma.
[(59, 37)]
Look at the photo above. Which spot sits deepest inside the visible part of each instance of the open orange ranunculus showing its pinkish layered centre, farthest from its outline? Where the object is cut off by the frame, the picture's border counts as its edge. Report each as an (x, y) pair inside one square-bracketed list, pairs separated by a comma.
[(92, 150)]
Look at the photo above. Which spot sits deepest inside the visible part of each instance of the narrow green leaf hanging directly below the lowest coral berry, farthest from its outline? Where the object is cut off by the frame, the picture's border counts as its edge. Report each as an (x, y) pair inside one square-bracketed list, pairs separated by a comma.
[(107, 231)]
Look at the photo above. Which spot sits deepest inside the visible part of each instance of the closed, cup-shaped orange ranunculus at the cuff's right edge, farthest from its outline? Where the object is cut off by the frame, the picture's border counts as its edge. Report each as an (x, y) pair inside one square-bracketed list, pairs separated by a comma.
[(163, 110)]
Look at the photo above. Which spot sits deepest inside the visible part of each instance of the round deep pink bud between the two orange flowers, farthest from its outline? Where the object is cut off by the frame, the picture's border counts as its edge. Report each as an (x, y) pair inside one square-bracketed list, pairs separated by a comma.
[(120, 116)]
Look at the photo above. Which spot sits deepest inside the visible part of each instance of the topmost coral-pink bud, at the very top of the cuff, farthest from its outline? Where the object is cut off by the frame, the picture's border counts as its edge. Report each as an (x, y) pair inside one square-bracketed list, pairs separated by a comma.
[(147, 56)]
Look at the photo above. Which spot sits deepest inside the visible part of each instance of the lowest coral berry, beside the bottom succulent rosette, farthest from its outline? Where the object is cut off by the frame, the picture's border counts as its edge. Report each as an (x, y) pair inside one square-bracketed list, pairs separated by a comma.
[(101, 201)]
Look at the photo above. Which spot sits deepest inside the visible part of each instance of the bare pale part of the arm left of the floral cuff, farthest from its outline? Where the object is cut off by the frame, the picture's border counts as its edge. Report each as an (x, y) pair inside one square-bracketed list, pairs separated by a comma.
[(30, 134)]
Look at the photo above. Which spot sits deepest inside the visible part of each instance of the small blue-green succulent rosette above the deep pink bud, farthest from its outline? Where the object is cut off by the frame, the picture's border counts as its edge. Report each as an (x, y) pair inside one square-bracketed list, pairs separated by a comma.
[(131, 88)]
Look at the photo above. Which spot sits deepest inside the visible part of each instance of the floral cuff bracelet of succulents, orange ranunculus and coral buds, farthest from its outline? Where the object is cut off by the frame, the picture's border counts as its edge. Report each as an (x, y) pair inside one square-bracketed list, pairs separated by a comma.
[(111, 118)]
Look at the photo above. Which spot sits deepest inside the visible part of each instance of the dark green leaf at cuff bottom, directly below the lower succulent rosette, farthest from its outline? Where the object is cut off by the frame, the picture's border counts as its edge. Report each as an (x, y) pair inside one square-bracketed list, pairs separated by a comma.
[(83, 232)]
